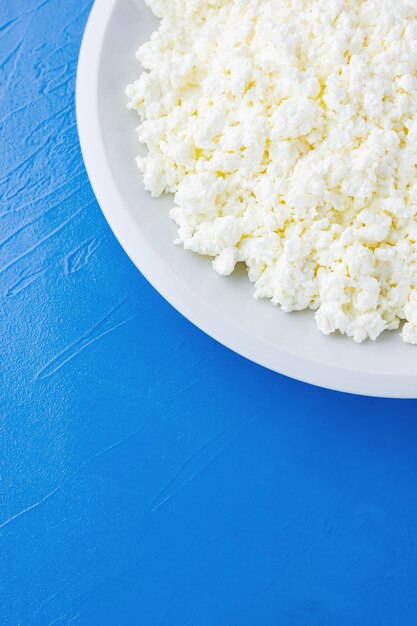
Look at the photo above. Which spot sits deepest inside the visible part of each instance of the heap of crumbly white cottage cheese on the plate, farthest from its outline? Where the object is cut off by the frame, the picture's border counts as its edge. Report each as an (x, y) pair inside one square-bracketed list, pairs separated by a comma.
[(287, 130)]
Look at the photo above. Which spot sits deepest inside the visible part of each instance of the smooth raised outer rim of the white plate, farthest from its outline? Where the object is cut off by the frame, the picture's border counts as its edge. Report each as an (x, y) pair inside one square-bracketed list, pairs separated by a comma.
[(177, 293)]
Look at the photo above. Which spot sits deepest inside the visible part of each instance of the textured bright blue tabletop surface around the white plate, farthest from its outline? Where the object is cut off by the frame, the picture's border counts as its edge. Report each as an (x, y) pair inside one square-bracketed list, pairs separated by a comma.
[(150, 476)]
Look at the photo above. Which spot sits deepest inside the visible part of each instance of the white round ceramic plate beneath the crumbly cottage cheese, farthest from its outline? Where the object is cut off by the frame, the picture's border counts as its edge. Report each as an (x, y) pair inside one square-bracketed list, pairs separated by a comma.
[(222, 307)]
